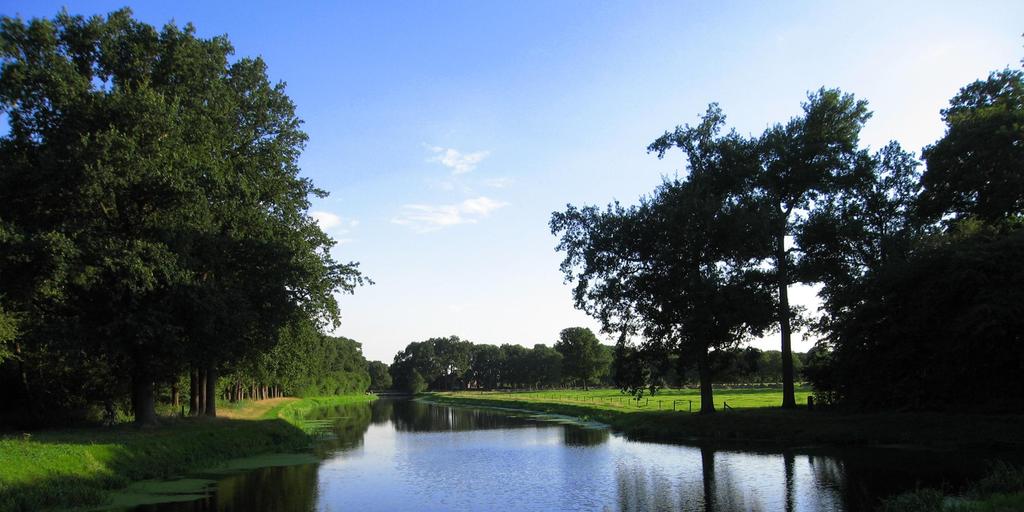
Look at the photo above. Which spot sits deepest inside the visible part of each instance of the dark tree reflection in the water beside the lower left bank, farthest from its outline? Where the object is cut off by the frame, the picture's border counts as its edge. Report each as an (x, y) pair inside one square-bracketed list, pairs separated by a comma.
[(288, 488)]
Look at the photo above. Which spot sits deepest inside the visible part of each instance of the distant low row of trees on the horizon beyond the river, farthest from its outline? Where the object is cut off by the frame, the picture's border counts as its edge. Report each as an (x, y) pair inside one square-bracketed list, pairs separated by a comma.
[(442, 364)]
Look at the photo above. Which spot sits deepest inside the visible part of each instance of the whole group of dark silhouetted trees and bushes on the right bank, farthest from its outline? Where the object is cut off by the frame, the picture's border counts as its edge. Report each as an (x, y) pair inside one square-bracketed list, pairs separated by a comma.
[(920, 274)]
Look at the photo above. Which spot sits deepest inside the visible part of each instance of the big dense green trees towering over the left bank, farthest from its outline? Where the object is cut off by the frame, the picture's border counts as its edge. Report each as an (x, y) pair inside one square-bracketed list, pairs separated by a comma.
[(153, 220)]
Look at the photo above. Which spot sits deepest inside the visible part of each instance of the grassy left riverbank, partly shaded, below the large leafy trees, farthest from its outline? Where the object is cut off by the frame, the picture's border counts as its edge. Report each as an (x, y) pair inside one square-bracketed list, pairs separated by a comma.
[(80, 467)]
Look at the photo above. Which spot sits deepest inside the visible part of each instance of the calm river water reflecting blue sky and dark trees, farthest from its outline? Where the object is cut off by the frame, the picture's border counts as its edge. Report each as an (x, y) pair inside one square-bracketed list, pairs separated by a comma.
[(405, 456)]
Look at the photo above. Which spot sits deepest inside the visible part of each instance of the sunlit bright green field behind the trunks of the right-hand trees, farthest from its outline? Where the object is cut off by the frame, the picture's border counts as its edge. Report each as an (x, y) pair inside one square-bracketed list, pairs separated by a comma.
[(666, 400)]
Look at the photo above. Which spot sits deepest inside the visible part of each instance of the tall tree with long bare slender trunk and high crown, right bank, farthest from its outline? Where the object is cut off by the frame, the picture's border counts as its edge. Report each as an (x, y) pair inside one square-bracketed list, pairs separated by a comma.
[(782, 174)]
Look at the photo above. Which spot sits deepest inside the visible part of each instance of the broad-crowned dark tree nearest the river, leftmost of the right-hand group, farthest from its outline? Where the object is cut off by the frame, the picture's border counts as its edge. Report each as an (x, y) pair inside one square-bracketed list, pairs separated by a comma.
[(681, 269)]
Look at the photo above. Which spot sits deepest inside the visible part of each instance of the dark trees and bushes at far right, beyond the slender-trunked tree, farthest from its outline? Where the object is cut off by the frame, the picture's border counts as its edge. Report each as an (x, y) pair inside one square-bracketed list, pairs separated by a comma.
[(915, 319)]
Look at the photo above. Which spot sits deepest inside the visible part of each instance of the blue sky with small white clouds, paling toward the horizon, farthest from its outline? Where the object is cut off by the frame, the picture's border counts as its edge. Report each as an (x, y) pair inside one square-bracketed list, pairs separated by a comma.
[(448, 133)]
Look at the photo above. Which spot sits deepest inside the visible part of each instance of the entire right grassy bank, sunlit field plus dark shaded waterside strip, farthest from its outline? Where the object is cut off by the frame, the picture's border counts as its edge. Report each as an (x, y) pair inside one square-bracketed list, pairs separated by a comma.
[(756, 418)]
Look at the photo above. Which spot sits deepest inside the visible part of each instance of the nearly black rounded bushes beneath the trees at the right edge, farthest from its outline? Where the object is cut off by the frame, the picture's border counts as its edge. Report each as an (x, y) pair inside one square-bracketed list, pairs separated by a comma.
[(943, 331)]
